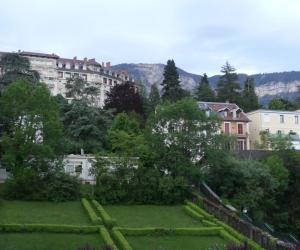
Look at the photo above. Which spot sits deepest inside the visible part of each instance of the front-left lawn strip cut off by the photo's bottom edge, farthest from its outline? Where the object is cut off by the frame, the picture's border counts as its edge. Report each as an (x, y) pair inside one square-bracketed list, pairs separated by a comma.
[(47, 241)]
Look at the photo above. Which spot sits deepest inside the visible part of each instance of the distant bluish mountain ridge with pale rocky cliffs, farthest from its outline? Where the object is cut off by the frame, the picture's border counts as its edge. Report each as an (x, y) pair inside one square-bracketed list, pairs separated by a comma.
[(267, 85)]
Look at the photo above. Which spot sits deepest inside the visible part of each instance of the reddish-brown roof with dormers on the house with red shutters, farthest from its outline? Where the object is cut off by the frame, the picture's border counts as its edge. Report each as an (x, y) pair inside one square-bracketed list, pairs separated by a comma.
[(217, 107)]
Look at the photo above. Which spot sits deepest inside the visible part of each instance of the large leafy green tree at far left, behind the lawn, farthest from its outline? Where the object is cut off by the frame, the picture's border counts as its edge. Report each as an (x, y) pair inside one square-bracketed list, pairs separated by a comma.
[(32, 145)]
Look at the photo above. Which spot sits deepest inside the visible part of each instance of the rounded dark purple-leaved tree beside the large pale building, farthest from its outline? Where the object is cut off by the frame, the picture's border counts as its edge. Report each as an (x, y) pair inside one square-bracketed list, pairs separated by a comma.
[(124, 98)]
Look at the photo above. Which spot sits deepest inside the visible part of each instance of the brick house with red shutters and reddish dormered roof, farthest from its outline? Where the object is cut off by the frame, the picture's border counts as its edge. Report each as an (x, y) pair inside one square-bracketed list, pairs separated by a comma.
[(234, 121)]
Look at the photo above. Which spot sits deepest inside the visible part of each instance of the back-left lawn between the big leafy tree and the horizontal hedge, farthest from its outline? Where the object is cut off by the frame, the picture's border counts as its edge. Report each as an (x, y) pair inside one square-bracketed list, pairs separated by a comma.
[(43, 213)]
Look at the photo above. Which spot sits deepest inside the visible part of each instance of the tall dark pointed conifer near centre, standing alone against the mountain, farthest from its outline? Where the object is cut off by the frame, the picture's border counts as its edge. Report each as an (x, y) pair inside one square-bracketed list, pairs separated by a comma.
[(171, 90)]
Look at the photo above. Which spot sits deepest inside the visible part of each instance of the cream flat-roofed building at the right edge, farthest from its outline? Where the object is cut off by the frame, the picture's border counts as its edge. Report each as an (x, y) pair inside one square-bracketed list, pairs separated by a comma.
[(274, 122)]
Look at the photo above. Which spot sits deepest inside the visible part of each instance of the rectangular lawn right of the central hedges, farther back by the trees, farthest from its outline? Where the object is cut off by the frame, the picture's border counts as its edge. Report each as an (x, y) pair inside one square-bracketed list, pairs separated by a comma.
[(151, 216)]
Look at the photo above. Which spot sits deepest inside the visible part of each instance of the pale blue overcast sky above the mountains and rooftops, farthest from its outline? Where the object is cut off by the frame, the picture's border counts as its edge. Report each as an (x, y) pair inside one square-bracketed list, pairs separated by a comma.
[(255, 36)]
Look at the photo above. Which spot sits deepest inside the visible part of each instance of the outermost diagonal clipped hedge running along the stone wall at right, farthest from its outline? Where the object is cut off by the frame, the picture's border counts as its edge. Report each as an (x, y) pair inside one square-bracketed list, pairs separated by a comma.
[(230, 231)]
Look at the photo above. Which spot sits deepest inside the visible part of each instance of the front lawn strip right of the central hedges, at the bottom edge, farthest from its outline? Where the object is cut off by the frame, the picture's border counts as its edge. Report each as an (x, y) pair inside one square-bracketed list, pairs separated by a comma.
[(175, 242)]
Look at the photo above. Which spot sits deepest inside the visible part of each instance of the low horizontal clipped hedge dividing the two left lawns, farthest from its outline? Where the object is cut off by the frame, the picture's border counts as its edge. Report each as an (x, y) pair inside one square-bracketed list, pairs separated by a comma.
[(49, 228)]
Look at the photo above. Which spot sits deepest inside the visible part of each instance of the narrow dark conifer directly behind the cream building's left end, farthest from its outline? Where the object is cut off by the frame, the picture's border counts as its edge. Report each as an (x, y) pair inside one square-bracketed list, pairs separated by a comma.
[(249, 97)]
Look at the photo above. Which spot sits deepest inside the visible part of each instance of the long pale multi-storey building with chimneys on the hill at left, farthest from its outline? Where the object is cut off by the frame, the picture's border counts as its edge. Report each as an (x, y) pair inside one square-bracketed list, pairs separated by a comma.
[(55, 71)]
